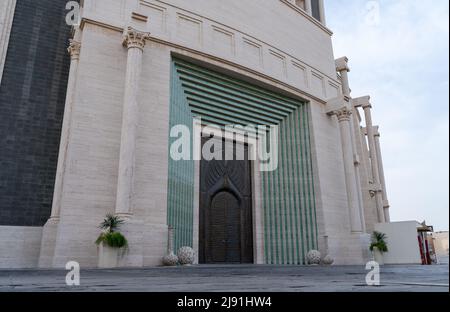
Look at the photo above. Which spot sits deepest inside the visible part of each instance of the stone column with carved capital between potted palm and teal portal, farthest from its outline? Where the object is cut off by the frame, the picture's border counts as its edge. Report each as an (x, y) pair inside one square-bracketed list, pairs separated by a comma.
[(134, 41)]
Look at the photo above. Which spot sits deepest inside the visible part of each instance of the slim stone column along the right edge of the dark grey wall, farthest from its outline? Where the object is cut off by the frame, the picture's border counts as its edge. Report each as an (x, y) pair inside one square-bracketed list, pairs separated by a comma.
[(74, 51)]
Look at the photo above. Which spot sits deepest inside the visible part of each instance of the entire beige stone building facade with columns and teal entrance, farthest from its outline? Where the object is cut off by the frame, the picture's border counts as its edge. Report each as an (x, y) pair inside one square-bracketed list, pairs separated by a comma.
[(140, 67)]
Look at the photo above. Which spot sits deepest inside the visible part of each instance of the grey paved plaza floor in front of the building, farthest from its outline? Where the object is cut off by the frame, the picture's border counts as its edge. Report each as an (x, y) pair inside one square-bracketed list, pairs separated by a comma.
[(242, 278)]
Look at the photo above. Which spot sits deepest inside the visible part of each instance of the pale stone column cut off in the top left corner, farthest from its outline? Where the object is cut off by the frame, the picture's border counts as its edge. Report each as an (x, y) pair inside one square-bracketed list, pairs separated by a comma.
[(7, 9)]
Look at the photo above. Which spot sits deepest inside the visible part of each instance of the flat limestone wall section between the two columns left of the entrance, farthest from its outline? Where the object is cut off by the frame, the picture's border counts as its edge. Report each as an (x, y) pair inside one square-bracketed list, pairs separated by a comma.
[(90, 180)]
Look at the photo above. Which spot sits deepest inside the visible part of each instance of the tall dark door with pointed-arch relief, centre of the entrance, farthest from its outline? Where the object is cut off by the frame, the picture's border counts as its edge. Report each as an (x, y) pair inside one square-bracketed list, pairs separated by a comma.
[(226, 230)]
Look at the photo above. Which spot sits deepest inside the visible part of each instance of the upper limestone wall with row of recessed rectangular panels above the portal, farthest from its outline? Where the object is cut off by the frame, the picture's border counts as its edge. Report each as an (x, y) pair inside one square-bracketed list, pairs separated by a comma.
[(295, 49)]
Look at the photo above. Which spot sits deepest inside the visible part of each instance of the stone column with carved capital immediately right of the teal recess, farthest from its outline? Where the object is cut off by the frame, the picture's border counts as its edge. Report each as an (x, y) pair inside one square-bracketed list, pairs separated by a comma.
[(343, 113)]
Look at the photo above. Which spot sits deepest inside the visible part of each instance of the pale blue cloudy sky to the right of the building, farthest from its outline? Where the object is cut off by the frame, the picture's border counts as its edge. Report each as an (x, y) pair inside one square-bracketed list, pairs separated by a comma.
[(398, 51)]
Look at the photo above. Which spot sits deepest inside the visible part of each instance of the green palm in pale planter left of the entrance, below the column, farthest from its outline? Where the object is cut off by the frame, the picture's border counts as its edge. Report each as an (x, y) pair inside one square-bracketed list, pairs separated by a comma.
[(110, 242)]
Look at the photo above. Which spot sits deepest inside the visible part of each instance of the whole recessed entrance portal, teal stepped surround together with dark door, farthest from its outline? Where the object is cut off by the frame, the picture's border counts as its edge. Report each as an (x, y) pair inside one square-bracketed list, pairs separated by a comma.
[(285, 221)]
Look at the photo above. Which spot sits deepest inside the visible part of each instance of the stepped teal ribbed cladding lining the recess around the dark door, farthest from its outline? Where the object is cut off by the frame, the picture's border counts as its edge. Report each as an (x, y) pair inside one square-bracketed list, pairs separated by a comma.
[(287, 194)]
